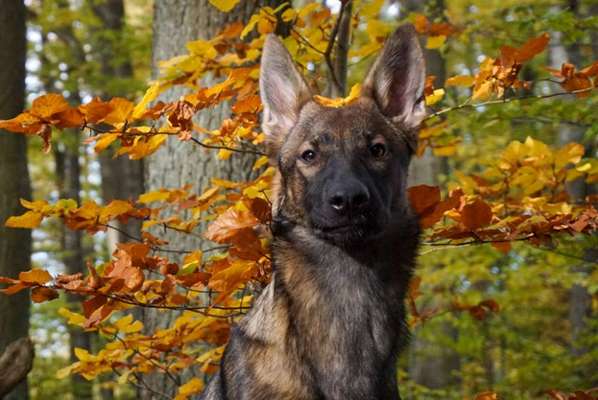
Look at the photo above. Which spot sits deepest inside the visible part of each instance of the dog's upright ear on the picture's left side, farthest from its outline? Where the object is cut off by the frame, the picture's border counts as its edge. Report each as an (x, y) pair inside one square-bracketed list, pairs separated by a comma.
[(283, 91)]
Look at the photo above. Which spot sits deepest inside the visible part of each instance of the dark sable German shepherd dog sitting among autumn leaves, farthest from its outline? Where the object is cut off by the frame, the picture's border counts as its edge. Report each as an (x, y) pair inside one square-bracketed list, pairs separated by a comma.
[(332, 321)]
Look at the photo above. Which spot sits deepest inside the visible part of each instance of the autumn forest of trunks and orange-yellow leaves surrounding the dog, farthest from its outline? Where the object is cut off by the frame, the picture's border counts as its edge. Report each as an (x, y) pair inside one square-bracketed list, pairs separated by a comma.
[(504, 302)]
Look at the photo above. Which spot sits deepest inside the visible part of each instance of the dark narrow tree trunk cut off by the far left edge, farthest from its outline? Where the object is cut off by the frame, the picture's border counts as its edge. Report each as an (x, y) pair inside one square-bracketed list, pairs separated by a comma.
[(15, 244)]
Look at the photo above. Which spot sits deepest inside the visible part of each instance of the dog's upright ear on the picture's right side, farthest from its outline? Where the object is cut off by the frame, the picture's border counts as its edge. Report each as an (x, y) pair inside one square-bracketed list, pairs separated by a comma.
[(396, 79)]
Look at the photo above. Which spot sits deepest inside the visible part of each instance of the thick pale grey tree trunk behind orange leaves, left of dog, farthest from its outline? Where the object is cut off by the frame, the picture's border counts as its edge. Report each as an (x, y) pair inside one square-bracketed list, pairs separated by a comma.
[(179, 163)]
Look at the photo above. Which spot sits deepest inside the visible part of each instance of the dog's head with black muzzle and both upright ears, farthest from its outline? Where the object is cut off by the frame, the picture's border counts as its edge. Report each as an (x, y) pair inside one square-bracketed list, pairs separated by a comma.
[(342, 171)]
